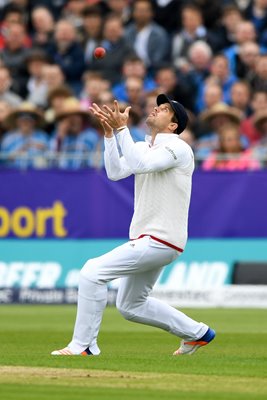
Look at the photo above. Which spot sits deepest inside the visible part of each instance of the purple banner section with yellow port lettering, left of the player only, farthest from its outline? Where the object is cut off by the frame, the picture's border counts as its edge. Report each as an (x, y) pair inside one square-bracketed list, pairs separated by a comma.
[(64, 204)]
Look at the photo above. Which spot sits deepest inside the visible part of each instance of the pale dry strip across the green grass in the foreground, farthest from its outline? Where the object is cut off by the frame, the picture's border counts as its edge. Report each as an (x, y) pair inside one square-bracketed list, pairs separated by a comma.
[(121, 379)]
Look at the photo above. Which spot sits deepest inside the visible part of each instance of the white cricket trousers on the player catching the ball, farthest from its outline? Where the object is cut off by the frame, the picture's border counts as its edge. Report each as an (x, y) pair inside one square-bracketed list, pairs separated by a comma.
[(139, 263)]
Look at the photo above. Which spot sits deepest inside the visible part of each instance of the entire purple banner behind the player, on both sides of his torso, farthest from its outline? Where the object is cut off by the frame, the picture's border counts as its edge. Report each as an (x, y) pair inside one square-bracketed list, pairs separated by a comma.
[(85, 204)]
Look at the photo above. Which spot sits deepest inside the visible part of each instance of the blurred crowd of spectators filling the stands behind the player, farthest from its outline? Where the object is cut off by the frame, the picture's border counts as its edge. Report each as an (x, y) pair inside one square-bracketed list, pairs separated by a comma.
[(210, 55)]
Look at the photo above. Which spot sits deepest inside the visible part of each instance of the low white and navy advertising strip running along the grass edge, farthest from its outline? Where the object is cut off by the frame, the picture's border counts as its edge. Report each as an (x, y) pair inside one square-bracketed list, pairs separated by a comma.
[(229, 296)]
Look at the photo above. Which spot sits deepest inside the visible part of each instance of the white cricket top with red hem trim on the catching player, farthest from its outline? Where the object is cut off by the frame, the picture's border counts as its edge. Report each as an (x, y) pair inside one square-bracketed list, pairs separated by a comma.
[(163, 179)]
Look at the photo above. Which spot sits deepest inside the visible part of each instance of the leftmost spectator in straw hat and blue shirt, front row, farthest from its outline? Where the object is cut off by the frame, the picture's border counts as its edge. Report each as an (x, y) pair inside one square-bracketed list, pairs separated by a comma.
[(25, 144)]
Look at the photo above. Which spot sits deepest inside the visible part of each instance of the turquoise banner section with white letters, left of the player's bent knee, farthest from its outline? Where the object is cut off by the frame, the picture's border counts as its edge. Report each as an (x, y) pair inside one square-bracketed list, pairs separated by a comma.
[(47, 264)]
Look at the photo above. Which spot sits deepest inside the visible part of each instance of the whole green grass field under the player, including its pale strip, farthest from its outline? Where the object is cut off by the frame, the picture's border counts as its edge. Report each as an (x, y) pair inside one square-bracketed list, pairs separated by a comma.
[(136, 361)]
